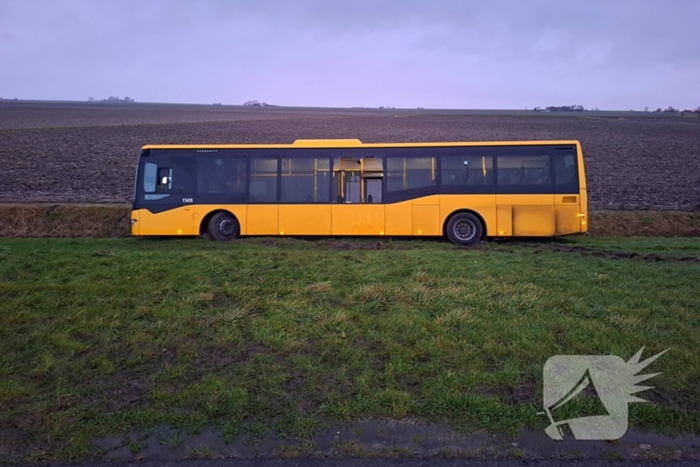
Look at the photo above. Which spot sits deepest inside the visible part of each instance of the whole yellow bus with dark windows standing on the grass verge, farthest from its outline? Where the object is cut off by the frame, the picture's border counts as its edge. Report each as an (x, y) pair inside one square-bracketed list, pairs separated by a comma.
[(464, 191)]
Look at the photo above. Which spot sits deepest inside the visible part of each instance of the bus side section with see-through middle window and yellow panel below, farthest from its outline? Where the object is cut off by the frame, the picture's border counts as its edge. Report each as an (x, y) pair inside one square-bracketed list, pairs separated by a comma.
[(357, 196)]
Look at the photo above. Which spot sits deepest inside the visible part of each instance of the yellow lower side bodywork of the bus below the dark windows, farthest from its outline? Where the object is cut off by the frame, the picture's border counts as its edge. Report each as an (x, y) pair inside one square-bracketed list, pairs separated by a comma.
[(427, 217)]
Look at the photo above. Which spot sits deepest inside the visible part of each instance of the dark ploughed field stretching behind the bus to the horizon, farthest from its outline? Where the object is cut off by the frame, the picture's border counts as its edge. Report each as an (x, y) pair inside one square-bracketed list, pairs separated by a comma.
[(87, 154)]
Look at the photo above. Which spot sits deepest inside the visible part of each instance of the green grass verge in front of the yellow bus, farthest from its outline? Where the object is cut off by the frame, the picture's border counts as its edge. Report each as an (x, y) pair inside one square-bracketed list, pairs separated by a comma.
[(101, 337)]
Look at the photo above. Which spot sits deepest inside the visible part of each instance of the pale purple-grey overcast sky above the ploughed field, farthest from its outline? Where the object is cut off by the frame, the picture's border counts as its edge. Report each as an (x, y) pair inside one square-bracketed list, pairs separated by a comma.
[(612, 54)]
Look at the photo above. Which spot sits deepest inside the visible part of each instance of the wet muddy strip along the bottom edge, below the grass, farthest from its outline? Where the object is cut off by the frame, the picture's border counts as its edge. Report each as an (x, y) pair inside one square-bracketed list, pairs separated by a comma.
[(394, 438)]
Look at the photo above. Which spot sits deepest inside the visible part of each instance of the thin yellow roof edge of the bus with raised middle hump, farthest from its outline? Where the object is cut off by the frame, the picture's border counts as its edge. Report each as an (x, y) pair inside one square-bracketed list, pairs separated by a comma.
[(353, 143)]
